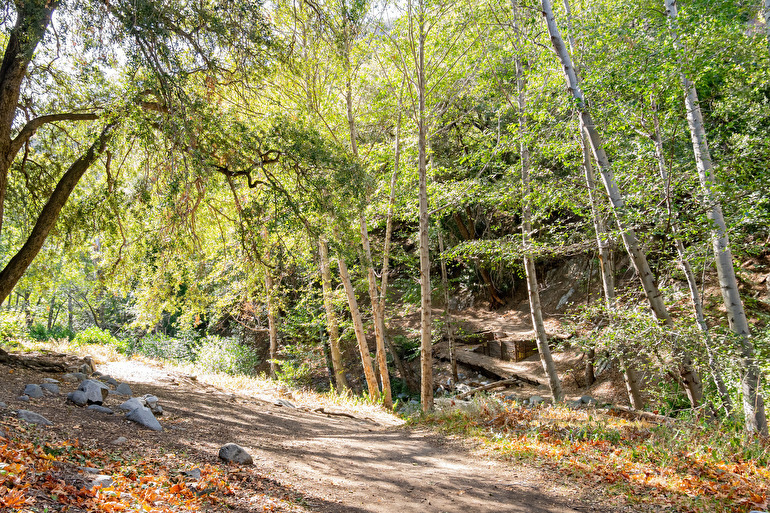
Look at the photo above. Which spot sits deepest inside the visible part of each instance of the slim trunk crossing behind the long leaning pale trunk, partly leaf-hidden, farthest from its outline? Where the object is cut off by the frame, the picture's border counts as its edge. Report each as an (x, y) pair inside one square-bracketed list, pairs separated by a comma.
[(630, 375)]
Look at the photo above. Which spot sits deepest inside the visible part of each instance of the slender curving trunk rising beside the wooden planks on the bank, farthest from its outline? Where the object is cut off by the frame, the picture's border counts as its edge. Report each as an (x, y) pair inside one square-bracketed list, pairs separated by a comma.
[(526, 228)]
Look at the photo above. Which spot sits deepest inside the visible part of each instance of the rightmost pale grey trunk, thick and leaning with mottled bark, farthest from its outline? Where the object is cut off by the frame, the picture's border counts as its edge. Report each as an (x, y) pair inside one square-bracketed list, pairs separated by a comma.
[(753, 403)]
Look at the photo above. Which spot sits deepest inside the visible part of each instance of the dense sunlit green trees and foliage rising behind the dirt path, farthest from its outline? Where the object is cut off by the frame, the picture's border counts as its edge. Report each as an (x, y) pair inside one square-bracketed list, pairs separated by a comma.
[(262, 186)]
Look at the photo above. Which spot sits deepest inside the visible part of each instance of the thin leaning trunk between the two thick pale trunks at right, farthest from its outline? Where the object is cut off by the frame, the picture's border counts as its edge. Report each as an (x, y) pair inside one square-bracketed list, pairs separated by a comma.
[(684, 263)]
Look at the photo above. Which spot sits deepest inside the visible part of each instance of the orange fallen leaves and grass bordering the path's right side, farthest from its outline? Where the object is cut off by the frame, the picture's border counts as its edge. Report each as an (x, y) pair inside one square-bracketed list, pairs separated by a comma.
[(693, 468)]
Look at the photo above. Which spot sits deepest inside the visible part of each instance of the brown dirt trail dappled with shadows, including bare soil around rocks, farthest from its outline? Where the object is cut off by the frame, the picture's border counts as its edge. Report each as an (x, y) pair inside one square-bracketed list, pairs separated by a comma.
[(327, 463)]
